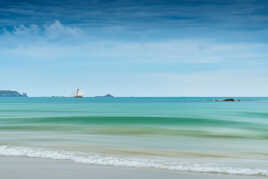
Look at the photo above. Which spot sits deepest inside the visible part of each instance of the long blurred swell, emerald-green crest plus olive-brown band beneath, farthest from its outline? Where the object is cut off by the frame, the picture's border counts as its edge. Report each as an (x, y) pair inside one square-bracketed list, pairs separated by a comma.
[(141, 125)]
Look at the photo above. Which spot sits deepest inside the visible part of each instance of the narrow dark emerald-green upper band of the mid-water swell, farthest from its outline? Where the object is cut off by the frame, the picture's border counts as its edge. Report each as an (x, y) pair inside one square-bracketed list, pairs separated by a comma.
[(131, 120)]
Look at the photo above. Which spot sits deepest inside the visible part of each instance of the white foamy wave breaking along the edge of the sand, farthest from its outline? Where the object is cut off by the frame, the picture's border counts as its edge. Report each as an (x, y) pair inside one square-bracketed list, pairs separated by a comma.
[(96, 159)]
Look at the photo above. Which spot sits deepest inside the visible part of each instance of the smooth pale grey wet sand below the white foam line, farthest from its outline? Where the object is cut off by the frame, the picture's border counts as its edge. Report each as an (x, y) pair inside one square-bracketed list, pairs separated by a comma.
[(33, 168)]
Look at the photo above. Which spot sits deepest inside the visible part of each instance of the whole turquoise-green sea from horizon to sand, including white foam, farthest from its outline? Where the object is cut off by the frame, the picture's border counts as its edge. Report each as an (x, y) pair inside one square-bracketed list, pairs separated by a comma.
[(183, 134)]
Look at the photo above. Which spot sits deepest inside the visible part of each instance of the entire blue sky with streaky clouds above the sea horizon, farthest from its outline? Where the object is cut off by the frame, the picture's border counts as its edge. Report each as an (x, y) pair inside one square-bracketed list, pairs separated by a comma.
[(134, 47)]
